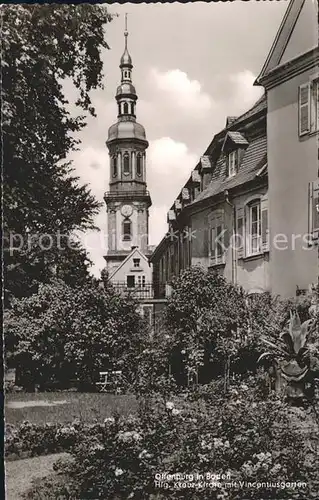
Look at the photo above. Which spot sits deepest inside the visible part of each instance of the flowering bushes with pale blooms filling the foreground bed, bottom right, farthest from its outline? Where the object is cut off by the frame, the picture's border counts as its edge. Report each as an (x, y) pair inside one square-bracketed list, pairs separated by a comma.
[(249, 438)]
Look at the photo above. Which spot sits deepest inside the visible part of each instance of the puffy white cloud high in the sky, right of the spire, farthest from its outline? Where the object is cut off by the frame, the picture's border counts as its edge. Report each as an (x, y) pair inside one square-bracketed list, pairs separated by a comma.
[(182, 92)]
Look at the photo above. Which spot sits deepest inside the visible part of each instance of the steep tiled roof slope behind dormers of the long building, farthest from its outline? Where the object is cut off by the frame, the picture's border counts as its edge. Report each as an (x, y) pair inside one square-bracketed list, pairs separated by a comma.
[(254, 158)]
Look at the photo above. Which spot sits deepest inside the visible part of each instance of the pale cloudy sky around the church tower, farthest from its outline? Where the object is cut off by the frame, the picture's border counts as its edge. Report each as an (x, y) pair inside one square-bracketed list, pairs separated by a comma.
[(194, 65)]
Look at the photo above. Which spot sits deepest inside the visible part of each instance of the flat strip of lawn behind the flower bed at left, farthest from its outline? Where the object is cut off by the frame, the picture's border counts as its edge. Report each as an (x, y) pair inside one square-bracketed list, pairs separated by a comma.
[(65, 406)]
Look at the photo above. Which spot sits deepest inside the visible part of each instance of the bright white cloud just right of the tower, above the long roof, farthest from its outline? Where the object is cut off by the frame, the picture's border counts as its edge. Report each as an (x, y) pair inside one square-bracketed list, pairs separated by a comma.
[(169, 165)]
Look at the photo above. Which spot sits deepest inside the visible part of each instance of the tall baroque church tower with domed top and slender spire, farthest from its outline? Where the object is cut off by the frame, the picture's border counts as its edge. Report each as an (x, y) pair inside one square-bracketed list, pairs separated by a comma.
[(127, 200)]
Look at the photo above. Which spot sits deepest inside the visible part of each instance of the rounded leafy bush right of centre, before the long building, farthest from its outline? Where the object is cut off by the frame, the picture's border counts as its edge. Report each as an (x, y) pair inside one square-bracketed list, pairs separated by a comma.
[(206, 321)]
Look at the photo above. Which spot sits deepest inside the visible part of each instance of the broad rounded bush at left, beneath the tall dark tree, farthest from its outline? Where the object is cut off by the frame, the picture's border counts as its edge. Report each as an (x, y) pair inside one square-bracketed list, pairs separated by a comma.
[(62, 334)]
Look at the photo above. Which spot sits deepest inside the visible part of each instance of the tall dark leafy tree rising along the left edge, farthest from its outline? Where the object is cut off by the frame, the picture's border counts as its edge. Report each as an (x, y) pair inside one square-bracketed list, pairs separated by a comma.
[(44, 46)]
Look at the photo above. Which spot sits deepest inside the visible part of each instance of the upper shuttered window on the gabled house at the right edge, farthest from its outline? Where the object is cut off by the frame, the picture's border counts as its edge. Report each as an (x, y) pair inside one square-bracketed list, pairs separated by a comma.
[(308, 100)]
